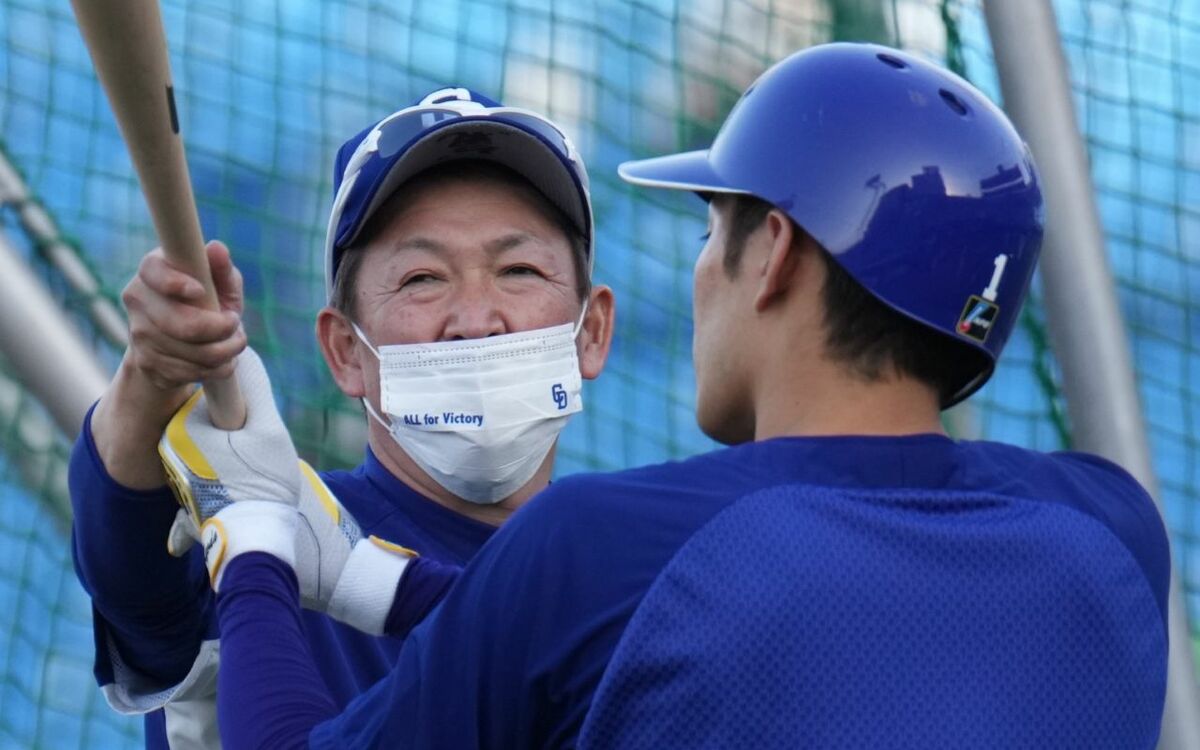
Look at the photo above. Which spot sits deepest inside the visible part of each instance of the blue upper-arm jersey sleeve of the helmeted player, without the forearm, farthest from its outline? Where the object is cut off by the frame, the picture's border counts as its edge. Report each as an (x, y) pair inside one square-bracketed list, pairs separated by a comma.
[(513, 656)]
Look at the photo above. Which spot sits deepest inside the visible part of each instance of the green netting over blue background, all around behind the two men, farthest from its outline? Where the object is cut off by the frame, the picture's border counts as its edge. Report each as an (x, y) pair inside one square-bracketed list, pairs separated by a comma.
[(268, 91)]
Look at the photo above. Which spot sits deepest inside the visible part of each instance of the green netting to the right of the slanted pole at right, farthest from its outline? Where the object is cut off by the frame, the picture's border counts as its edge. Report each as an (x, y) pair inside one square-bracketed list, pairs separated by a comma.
[(1138, 80)]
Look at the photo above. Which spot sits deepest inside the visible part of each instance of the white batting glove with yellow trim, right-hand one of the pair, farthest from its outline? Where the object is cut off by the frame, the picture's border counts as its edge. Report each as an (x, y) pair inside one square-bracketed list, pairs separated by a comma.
[(351, 579)]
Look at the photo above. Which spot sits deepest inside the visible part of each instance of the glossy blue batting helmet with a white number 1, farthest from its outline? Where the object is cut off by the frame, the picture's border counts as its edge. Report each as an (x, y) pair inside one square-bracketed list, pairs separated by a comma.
[(916, 184)]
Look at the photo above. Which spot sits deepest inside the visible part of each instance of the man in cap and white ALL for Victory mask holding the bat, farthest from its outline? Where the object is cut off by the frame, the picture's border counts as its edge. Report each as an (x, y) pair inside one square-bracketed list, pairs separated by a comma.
[(458, 266)]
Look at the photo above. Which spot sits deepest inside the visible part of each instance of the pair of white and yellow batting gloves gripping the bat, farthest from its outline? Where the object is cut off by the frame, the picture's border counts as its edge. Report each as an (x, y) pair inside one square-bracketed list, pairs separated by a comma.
[(247, 490)]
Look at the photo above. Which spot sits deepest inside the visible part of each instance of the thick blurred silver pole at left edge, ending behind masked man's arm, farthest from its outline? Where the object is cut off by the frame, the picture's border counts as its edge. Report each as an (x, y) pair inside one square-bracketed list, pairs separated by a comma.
[(43, 346)]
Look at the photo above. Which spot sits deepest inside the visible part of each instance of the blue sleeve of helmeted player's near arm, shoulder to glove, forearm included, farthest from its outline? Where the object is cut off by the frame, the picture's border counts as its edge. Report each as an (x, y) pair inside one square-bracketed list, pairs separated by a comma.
[(509, 659)]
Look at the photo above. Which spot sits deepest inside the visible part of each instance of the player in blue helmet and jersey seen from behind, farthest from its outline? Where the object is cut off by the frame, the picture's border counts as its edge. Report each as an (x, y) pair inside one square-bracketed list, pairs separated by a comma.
[(845, 575)]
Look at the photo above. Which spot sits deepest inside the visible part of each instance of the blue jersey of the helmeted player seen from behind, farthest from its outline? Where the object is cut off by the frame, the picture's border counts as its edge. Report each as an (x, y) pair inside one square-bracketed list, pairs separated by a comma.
[(777, 593)]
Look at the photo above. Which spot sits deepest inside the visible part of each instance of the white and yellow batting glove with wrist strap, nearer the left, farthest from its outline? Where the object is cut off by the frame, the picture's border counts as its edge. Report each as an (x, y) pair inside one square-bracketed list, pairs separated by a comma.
[(239, 489)]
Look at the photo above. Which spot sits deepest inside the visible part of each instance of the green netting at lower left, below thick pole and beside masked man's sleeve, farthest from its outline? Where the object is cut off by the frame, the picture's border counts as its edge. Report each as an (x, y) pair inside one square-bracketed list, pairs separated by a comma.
[(49, 697)]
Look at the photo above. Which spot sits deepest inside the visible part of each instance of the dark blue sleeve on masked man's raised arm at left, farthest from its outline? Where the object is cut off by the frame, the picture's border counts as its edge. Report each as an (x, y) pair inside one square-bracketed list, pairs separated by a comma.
[(153, 614)]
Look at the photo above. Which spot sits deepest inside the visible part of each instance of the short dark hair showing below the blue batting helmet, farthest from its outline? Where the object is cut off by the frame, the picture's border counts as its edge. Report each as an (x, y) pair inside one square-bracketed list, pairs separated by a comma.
[(862, 331)]
